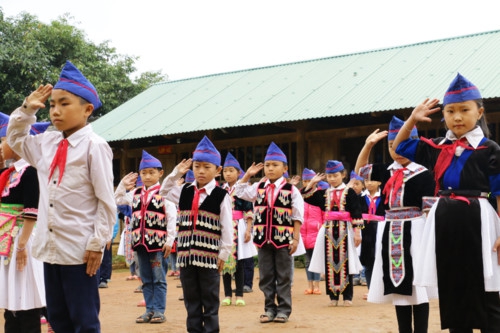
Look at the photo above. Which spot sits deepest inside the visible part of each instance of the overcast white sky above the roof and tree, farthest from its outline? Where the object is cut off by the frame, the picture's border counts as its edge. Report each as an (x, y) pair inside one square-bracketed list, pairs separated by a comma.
[(187, 39)]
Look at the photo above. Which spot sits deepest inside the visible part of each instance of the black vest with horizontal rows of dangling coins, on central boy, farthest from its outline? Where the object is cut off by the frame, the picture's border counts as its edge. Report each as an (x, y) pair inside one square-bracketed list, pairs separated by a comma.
[(198, 243)]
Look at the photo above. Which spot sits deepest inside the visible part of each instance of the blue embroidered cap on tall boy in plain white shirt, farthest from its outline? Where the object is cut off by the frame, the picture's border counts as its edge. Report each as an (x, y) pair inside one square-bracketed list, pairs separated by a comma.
[(72, 80)]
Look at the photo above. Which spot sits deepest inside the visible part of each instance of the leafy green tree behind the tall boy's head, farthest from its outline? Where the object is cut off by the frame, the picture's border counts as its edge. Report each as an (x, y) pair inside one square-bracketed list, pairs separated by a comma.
[(33, 53)]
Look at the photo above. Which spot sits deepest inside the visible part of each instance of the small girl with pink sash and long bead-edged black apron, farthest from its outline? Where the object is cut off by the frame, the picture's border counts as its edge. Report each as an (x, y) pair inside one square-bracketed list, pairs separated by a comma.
[(335, 252)]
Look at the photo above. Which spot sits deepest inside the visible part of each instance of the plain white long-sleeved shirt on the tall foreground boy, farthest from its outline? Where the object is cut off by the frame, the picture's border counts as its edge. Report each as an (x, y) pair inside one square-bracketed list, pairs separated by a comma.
[(79, 213)]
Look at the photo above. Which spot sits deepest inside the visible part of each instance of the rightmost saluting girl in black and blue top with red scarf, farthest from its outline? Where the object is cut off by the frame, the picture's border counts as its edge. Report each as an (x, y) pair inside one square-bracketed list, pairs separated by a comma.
[(463, 229)]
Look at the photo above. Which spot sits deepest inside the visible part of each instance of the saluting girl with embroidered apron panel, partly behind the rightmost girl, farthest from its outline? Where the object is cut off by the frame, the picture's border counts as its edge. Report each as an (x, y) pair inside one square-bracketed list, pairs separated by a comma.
[(404, 184)]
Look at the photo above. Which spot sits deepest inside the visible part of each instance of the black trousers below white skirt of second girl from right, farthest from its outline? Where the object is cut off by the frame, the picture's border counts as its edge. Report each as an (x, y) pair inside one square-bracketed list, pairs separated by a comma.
[(420, 314)]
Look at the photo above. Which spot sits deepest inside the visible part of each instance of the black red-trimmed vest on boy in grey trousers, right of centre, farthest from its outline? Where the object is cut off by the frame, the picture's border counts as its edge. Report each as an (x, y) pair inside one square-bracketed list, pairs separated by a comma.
[(273, 224)]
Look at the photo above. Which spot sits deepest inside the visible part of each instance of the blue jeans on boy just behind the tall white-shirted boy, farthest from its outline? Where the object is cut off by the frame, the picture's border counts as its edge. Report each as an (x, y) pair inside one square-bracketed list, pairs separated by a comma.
[(153, 269)]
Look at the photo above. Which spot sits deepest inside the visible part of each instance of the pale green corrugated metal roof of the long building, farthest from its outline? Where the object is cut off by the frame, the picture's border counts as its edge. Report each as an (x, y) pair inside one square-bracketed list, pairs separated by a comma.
[(379, 80)]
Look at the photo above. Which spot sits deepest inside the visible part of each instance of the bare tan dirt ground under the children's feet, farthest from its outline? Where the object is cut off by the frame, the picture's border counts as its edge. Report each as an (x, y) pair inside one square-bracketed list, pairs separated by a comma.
[(310, 312)]
